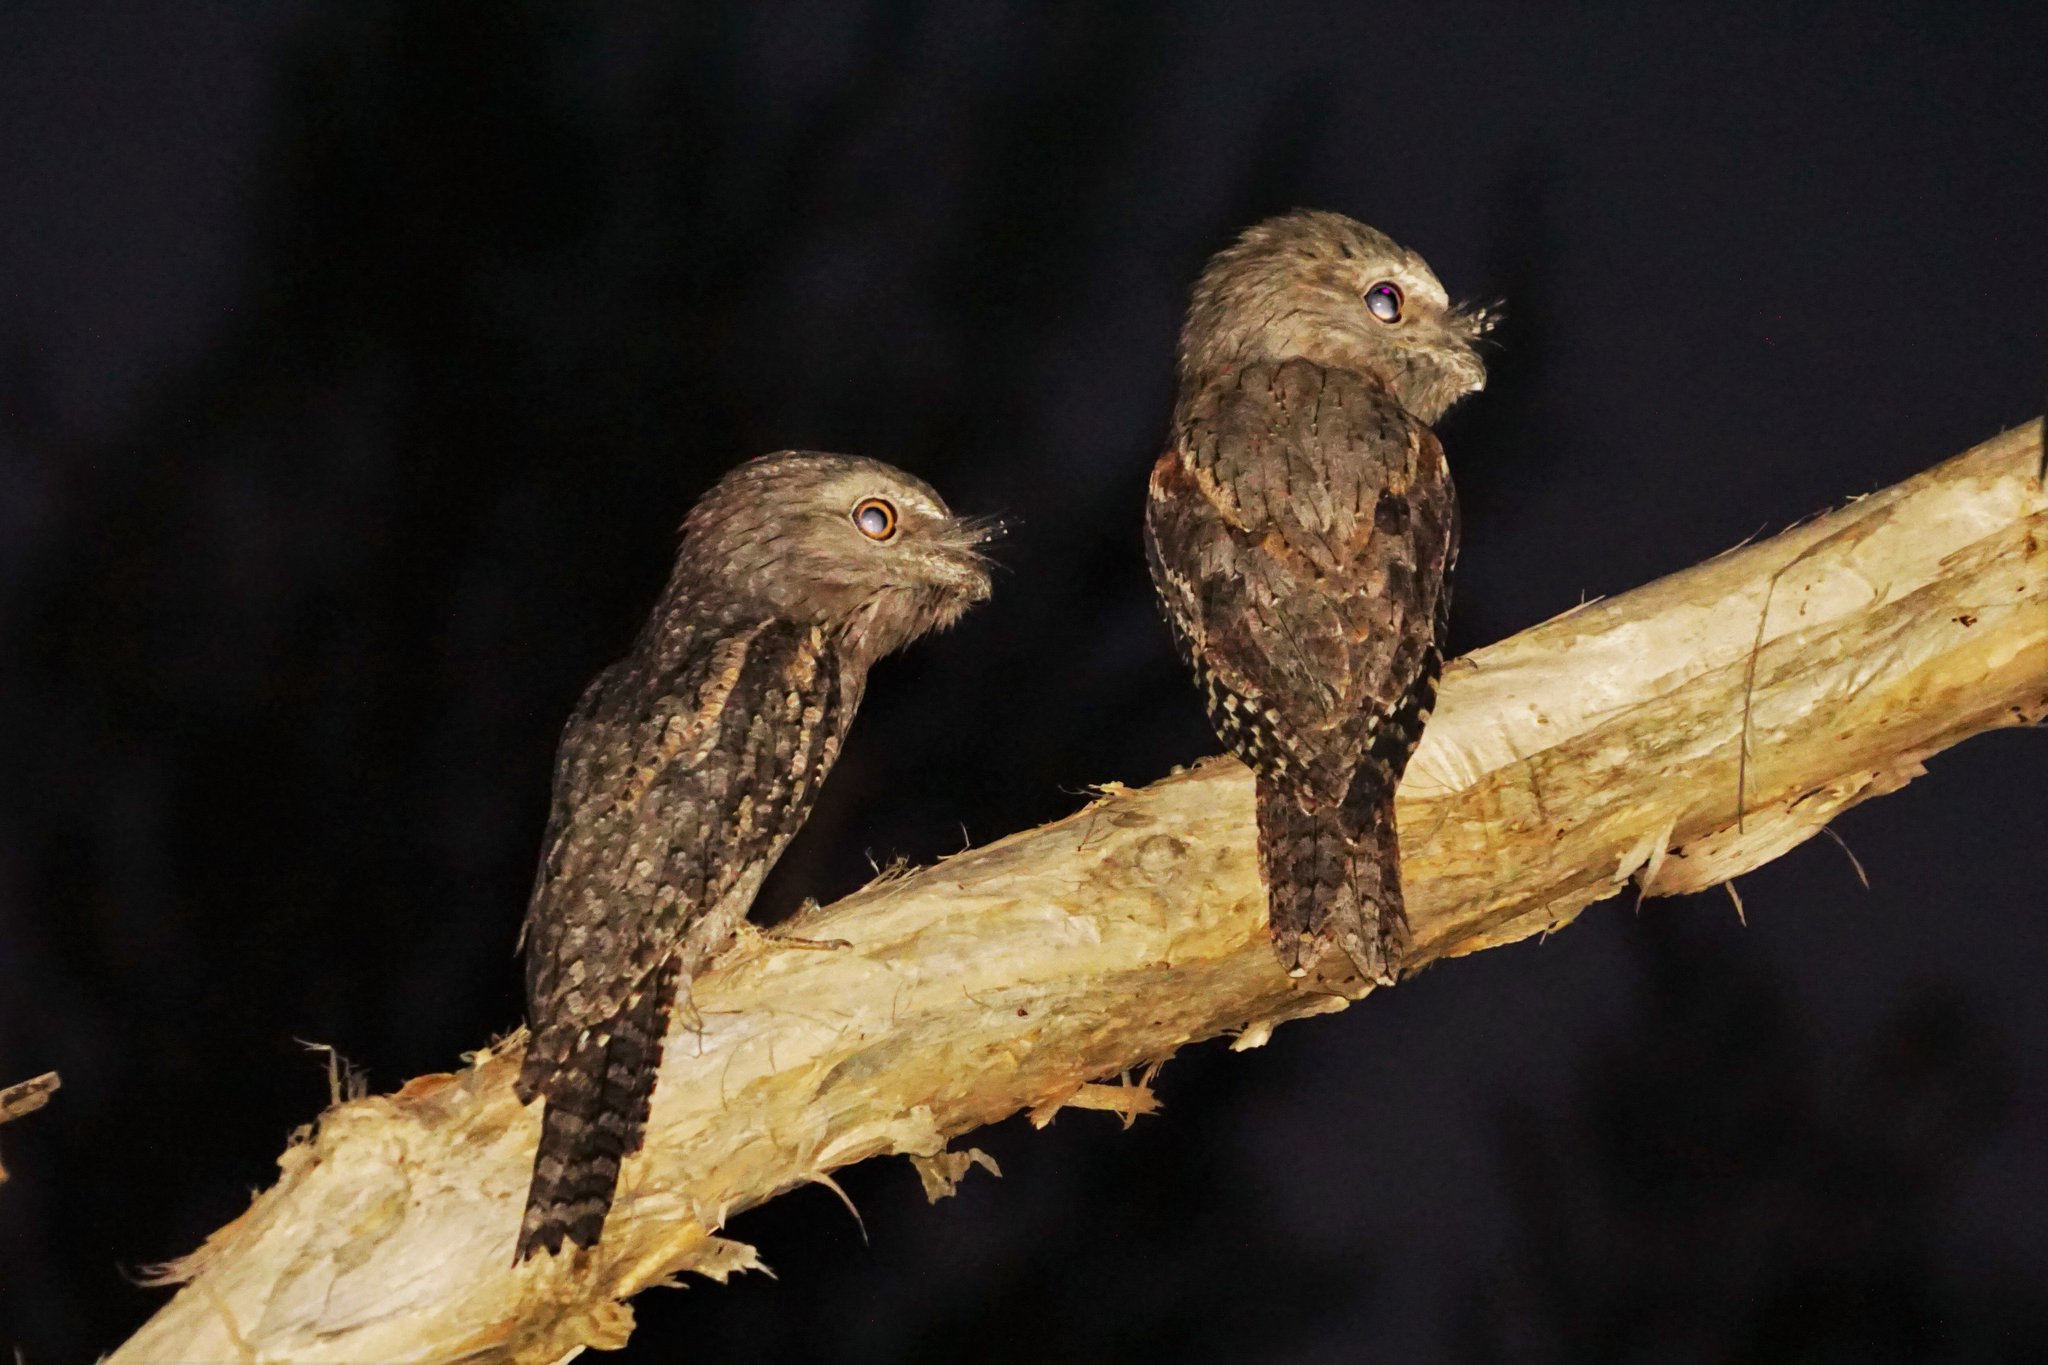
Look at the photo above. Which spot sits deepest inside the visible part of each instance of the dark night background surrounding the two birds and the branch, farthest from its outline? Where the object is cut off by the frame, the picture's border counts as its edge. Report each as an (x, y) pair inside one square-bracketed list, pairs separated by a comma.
[(357, 361)]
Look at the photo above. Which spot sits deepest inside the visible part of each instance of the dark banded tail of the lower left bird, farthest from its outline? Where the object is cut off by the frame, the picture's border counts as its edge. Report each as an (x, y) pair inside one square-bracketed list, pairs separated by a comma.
[(599, 1086)]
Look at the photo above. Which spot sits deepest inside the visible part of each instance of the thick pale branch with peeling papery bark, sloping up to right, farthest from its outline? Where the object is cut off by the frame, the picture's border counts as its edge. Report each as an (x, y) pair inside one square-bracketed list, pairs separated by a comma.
[(1598, 750)]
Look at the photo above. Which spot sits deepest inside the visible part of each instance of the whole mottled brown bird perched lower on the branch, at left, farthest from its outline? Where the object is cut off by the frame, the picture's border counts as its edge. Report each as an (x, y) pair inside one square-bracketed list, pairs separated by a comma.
[(691, 762)]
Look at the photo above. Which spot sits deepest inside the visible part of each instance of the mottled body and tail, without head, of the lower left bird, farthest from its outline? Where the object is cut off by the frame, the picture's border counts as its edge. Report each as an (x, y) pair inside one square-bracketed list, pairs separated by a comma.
[(675, 791)]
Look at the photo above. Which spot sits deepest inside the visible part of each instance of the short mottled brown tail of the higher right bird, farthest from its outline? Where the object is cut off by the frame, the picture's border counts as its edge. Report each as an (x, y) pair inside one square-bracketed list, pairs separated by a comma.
[(1334, 883)]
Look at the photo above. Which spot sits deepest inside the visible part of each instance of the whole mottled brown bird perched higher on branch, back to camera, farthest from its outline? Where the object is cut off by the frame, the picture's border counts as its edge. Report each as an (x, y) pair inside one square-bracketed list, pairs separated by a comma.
[(1302, 533)]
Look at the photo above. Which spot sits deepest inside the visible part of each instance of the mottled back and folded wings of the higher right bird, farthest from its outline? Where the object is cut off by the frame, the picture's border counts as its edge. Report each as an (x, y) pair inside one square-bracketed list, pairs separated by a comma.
[(1302, 531)]
